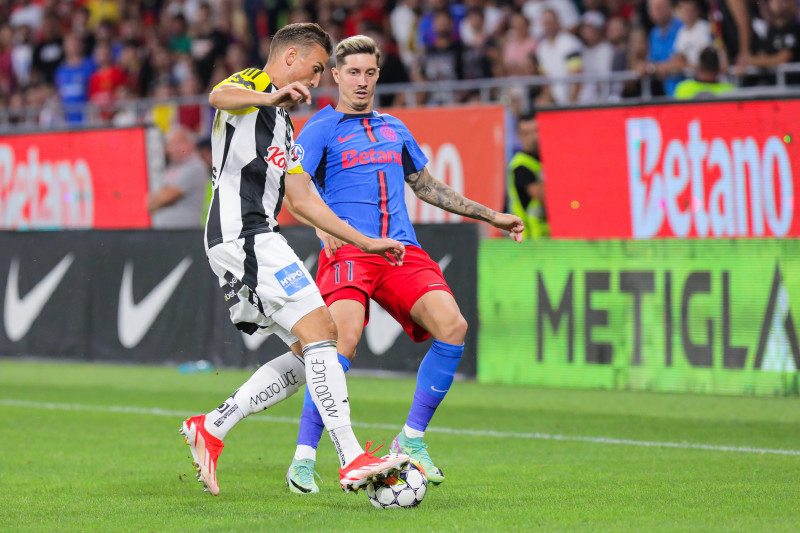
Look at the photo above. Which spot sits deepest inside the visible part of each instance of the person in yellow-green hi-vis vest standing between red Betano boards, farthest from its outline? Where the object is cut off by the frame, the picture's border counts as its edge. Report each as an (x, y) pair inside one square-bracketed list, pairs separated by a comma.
[(525, 184)]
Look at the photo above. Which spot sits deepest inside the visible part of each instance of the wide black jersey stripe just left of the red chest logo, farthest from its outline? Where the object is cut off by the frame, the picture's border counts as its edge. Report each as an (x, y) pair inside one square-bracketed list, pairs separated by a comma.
[(253, 176)]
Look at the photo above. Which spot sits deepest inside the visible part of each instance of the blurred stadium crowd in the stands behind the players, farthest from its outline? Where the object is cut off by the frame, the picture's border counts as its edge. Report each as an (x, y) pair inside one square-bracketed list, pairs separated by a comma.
[(58, 55)]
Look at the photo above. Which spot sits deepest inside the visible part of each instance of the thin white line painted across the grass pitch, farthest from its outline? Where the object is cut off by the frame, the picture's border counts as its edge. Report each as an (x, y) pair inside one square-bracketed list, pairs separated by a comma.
[(449, 431)]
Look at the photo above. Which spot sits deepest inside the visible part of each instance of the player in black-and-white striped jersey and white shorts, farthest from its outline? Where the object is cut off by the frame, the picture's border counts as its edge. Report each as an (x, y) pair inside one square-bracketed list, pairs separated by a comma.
[(265, 284)]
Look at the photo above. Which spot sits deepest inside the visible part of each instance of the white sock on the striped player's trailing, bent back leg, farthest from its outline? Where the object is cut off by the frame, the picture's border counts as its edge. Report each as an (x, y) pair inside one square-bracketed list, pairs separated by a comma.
[(273, 382)]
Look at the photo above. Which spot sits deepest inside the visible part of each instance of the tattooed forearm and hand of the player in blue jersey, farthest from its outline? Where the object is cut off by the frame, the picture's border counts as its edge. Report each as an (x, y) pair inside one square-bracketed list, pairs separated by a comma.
[(430, 190)]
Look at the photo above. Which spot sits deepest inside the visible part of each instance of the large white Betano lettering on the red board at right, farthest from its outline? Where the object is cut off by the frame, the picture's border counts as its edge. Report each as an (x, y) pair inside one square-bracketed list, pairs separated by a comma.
[(752, 196)]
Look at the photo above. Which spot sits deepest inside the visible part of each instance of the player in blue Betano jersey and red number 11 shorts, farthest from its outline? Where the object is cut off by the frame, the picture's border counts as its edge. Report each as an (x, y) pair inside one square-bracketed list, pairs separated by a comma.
[(360, 161)]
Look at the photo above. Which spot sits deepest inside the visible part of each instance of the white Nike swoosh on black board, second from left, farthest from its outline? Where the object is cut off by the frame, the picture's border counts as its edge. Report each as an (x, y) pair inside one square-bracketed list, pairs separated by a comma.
[(134, 320)]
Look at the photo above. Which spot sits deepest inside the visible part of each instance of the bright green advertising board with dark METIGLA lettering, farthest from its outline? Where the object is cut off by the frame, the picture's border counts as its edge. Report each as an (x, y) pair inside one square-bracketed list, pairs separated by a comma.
[(669, 315)]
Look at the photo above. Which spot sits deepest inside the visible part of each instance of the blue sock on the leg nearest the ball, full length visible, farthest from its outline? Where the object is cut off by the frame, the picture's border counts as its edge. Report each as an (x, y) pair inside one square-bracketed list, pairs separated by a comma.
[(434, 377)]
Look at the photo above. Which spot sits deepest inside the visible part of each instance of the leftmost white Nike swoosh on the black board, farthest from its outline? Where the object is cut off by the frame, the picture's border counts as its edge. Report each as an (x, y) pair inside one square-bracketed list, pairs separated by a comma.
[(20, 313)]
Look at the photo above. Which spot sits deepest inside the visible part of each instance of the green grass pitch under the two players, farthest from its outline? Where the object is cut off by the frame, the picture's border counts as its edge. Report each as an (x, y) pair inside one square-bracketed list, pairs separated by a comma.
[(95, 447)]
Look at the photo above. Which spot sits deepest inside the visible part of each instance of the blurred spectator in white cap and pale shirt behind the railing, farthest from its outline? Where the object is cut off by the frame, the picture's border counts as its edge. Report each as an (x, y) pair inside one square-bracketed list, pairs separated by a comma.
[(598, 55)]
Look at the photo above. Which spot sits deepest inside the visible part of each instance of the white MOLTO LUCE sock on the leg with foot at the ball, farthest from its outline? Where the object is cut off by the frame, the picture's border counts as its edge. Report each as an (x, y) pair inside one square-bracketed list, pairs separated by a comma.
[(328, 389)]
